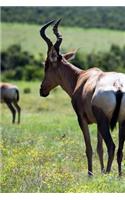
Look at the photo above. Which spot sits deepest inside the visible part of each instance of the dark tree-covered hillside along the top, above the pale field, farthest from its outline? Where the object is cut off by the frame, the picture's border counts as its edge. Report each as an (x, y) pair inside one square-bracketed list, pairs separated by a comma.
[(86, 17)]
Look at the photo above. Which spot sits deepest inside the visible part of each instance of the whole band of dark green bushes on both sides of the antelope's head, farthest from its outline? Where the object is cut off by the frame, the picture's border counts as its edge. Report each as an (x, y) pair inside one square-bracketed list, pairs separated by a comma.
[(17, 64)]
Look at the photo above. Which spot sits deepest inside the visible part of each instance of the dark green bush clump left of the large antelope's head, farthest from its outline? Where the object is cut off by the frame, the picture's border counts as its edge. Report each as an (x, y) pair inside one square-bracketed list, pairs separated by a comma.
[(20, 65)]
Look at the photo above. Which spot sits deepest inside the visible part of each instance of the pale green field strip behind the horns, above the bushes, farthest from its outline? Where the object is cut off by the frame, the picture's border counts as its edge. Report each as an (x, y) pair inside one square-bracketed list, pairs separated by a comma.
[(87, 40)]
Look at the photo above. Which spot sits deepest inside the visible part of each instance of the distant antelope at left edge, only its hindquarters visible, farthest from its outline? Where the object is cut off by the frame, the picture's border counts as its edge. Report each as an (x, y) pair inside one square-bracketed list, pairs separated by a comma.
[(9, 94)]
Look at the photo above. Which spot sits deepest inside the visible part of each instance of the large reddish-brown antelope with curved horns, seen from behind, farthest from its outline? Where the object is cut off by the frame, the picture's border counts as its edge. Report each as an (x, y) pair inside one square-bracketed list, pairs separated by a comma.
[(97, 97)]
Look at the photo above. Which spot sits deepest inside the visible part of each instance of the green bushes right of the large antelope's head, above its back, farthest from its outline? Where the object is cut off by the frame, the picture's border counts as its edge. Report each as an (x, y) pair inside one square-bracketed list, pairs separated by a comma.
[(114, 60)]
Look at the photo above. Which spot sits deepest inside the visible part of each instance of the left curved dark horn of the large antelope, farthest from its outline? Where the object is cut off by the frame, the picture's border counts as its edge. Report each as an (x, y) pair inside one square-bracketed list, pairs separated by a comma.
[(42, 33)]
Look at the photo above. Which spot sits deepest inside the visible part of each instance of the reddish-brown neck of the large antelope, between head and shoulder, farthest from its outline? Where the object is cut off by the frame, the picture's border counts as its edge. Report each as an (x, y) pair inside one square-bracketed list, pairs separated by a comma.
[(68, 76)]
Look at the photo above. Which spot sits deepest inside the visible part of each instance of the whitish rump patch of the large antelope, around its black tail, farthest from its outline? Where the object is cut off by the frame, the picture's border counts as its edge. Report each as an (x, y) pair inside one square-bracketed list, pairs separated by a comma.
[(105, 93)]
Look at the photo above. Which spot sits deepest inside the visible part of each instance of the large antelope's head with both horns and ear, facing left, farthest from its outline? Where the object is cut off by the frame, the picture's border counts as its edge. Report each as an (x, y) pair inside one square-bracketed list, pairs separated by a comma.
[(54, 59)]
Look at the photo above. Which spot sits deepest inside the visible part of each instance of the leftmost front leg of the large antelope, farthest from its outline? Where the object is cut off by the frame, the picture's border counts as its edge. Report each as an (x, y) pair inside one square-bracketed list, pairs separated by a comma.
[(84, 127)]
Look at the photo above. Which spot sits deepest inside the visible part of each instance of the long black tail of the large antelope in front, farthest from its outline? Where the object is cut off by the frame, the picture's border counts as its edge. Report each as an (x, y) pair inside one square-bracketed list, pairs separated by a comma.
[(115, 115)]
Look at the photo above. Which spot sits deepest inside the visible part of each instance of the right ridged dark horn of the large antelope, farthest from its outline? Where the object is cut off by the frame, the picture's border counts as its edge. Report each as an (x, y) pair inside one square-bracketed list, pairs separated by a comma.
[(58, 35)]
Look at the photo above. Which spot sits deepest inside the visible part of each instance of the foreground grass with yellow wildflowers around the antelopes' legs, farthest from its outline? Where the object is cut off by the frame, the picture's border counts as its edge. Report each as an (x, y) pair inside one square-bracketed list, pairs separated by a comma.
[(46, 152)]
